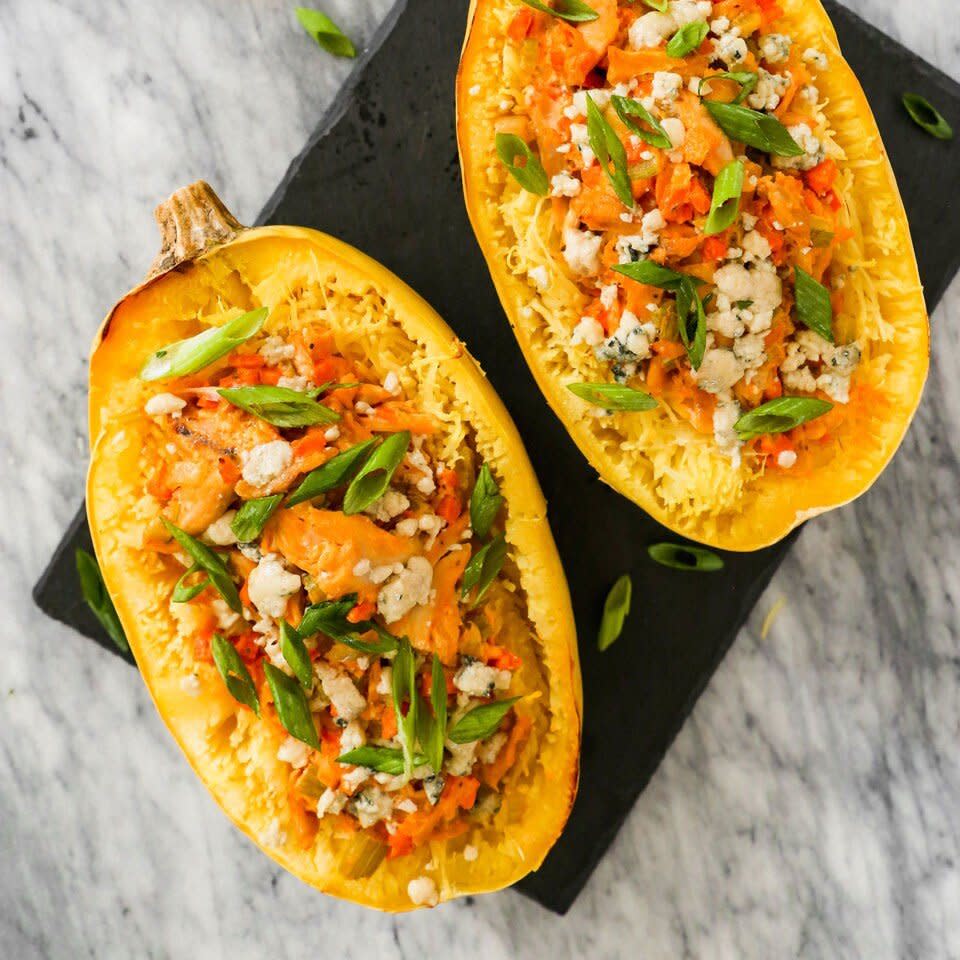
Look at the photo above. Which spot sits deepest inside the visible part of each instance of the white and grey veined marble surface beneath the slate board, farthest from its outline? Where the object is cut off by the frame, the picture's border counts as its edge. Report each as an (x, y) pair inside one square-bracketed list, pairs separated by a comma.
[(809, 808)]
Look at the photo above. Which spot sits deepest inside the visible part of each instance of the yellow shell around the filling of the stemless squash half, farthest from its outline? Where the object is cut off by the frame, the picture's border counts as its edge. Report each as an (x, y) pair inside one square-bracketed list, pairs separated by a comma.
[(663, 465)]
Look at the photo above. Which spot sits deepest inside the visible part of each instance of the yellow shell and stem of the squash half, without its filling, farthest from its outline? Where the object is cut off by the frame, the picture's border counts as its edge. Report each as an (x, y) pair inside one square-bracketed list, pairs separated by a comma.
[(232, 752)]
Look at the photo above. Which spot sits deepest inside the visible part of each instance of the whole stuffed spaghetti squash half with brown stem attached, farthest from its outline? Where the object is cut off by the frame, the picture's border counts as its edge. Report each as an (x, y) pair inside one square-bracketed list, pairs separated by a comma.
[(329, 553)]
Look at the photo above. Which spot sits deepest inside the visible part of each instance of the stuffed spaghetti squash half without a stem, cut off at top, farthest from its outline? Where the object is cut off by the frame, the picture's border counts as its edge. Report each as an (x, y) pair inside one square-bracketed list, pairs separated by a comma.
[(693, 227)]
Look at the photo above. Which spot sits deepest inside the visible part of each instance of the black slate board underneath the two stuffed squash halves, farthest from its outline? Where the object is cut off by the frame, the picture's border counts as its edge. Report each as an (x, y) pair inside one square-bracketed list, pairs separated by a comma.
[(386, 179)]
